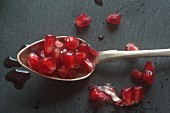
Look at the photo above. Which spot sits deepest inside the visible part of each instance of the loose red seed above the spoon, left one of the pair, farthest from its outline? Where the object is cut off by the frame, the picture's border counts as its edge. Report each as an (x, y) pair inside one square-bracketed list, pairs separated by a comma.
[(82, 20)]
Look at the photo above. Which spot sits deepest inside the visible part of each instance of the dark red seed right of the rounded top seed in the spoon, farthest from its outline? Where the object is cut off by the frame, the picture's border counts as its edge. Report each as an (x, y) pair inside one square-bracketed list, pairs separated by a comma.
[(84, 48)]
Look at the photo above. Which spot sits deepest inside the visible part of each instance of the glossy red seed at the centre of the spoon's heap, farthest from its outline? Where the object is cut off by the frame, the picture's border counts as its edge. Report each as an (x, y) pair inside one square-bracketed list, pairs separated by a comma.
[(68, 59)]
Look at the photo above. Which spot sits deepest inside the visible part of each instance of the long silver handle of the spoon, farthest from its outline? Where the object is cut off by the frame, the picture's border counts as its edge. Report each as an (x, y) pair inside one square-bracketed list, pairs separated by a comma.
[(112, 55)]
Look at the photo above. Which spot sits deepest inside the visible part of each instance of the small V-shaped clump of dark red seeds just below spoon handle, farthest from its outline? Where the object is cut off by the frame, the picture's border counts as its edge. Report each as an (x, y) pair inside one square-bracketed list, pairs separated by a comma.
[(146, 75)]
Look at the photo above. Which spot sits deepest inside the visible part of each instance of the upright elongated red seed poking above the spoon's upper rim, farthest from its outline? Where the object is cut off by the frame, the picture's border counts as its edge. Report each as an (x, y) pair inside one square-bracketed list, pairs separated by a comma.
[(49, 43)]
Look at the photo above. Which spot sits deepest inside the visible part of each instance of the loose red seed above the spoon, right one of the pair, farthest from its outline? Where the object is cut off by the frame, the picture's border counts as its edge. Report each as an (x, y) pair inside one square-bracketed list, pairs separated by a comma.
[(114, 18)]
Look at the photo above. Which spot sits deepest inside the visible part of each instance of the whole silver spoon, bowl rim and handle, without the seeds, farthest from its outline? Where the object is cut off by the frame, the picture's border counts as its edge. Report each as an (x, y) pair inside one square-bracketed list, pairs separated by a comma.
[(104, 56)]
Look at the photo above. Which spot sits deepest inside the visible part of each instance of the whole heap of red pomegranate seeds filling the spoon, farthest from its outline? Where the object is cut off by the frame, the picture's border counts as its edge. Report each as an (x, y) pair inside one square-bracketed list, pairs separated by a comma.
[(64, 57)]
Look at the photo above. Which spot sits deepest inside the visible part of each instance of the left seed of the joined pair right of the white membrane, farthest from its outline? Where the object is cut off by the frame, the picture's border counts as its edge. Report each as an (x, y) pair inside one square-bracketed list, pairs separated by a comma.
[(127, 96)]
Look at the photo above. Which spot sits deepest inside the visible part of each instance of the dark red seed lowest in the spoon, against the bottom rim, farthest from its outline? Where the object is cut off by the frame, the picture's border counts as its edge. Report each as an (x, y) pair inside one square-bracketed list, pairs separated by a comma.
[(67, 73)]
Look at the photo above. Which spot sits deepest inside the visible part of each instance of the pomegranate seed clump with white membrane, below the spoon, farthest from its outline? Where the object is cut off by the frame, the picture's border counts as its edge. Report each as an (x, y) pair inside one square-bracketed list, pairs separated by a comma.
[(130, 96)]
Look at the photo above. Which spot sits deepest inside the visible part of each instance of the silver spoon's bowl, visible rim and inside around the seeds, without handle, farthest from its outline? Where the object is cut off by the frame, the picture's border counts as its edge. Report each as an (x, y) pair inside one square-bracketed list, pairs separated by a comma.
[(38, 45)]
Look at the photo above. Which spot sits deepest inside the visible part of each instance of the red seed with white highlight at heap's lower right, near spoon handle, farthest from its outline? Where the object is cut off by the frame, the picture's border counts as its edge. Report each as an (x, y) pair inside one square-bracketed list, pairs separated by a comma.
[(87, 66)]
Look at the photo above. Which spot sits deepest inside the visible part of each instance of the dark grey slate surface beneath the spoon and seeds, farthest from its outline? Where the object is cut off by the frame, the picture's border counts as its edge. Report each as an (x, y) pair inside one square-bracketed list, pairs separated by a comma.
[(144, 22)]
